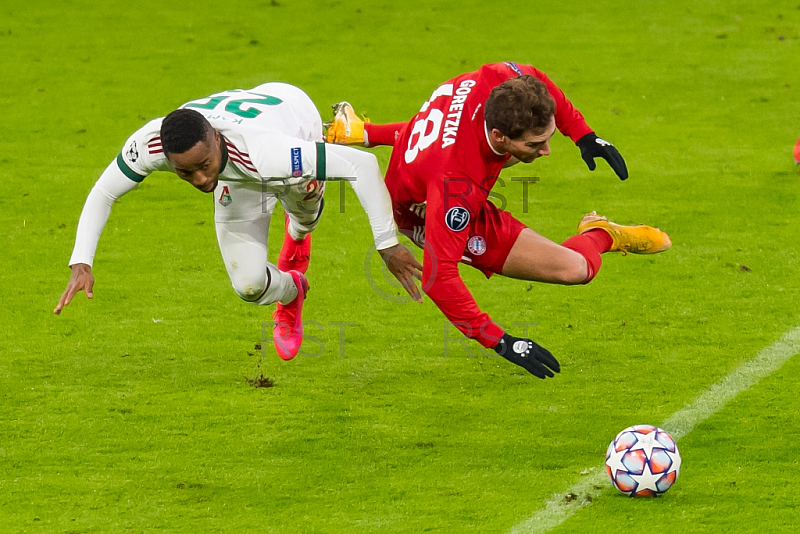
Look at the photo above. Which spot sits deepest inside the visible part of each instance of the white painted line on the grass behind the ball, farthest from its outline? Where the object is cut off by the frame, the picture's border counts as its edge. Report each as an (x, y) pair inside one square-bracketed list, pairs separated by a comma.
[(562, 506)]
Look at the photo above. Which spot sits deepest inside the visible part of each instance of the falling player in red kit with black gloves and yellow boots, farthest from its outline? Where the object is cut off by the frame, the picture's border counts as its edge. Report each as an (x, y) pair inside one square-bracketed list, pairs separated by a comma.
[(445, 162)]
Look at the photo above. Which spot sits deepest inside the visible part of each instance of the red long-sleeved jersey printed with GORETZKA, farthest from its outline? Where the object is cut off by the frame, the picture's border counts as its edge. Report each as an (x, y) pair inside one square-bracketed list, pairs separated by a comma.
[(442, 157)]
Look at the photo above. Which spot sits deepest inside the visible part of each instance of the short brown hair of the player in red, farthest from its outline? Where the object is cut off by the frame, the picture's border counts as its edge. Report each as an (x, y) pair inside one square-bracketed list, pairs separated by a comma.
[(519, 105)]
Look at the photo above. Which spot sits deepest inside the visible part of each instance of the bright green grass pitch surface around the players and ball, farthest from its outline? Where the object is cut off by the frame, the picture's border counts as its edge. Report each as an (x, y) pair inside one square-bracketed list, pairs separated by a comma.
[(133, 412)]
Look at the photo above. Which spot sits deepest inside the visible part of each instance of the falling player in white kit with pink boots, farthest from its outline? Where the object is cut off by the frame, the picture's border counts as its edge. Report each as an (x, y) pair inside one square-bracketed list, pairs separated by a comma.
[(251, 149)]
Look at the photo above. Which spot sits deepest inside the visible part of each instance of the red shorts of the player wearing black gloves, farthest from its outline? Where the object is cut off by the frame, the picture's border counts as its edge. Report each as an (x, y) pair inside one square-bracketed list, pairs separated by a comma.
[(492, 234)]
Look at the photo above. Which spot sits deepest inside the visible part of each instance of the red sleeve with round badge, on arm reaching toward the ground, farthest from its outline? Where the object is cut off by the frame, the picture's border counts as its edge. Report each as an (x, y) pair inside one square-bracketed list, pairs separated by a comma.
[(452, 203)]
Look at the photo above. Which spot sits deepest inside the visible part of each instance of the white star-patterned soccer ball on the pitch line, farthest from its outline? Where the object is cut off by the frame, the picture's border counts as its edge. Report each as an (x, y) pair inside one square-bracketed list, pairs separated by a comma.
[(643, 461)]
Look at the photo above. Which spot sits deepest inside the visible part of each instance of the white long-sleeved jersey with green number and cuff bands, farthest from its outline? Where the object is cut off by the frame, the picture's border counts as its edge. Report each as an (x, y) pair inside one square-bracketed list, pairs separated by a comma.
[(272, 146)]
